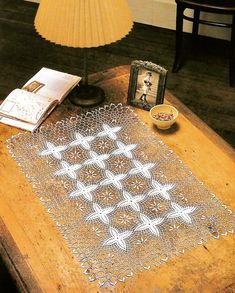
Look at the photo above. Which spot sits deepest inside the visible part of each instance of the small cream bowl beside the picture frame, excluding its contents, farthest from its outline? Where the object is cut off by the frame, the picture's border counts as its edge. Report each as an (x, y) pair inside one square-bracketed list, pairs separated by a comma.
[(163, 108)]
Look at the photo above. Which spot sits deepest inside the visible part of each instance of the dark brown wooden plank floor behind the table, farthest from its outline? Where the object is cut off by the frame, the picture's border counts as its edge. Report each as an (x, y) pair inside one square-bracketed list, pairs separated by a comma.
[(202, 83)]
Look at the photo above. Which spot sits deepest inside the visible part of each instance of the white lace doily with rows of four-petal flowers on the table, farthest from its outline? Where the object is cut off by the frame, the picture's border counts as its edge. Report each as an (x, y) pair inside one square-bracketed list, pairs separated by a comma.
[(122, 200)]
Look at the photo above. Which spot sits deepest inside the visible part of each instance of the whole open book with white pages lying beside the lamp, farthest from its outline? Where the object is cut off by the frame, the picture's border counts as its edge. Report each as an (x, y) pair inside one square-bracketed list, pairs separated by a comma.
[(26, 108)]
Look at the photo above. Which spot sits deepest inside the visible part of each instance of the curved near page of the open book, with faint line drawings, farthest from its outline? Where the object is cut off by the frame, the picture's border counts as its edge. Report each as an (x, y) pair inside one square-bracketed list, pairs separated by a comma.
[(25, 106)]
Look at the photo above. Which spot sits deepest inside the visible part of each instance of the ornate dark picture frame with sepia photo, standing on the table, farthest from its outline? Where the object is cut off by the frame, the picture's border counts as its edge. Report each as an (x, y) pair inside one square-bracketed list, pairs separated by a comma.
[(146, 85)]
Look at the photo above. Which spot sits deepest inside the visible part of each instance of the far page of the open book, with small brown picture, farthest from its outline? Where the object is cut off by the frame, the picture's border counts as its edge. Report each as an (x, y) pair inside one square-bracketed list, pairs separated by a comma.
[(52, 83)]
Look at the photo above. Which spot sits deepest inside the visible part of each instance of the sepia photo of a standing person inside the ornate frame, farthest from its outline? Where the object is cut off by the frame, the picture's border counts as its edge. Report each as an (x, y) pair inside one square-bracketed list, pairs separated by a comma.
[(147, 84)]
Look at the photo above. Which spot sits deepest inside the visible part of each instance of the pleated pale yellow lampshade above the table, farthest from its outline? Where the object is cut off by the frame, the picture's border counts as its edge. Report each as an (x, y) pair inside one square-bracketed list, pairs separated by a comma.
[(83, 23)]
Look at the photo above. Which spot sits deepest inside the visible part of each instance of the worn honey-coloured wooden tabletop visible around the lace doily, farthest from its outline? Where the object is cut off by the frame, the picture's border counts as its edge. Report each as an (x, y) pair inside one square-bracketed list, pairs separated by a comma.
[(36, 254)]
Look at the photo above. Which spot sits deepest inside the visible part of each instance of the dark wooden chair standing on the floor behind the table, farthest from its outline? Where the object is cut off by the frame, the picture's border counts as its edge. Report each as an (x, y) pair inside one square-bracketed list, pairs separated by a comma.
[(213, 6)]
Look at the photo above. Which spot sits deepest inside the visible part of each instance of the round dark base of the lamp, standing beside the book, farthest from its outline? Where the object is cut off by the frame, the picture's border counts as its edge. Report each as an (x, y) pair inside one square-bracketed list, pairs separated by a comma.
[(86, 95)]
